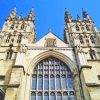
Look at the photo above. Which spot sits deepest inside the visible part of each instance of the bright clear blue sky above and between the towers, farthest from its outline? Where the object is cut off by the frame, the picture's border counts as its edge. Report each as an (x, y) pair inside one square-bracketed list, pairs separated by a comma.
[(50, 13)]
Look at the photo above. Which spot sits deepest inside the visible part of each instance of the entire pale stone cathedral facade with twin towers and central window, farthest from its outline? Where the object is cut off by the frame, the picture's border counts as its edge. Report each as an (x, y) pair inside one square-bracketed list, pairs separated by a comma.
[(51, 68)]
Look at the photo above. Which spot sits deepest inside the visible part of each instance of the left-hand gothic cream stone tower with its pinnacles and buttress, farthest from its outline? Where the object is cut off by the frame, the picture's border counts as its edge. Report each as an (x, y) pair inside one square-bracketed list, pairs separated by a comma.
[(14, 34)]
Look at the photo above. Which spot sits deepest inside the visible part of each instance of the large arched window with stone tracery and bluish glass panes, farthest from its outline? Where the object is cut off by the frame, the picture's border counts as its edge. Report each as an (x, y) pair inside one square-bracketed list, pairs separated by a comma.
[(52, 80)]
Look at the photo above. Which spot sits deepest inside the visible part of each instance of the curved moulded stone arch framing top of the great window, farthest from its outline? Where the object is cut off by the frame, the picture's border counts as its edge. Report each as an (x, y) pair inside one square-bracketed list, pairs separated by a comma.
[(55, 54)]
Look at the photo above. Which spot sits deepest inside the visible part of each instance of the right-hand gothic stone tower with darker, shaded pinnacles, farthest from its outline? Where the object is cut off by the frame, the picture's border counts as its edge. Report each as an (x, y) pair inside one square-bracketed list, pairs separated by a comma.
[(85, 40)]
